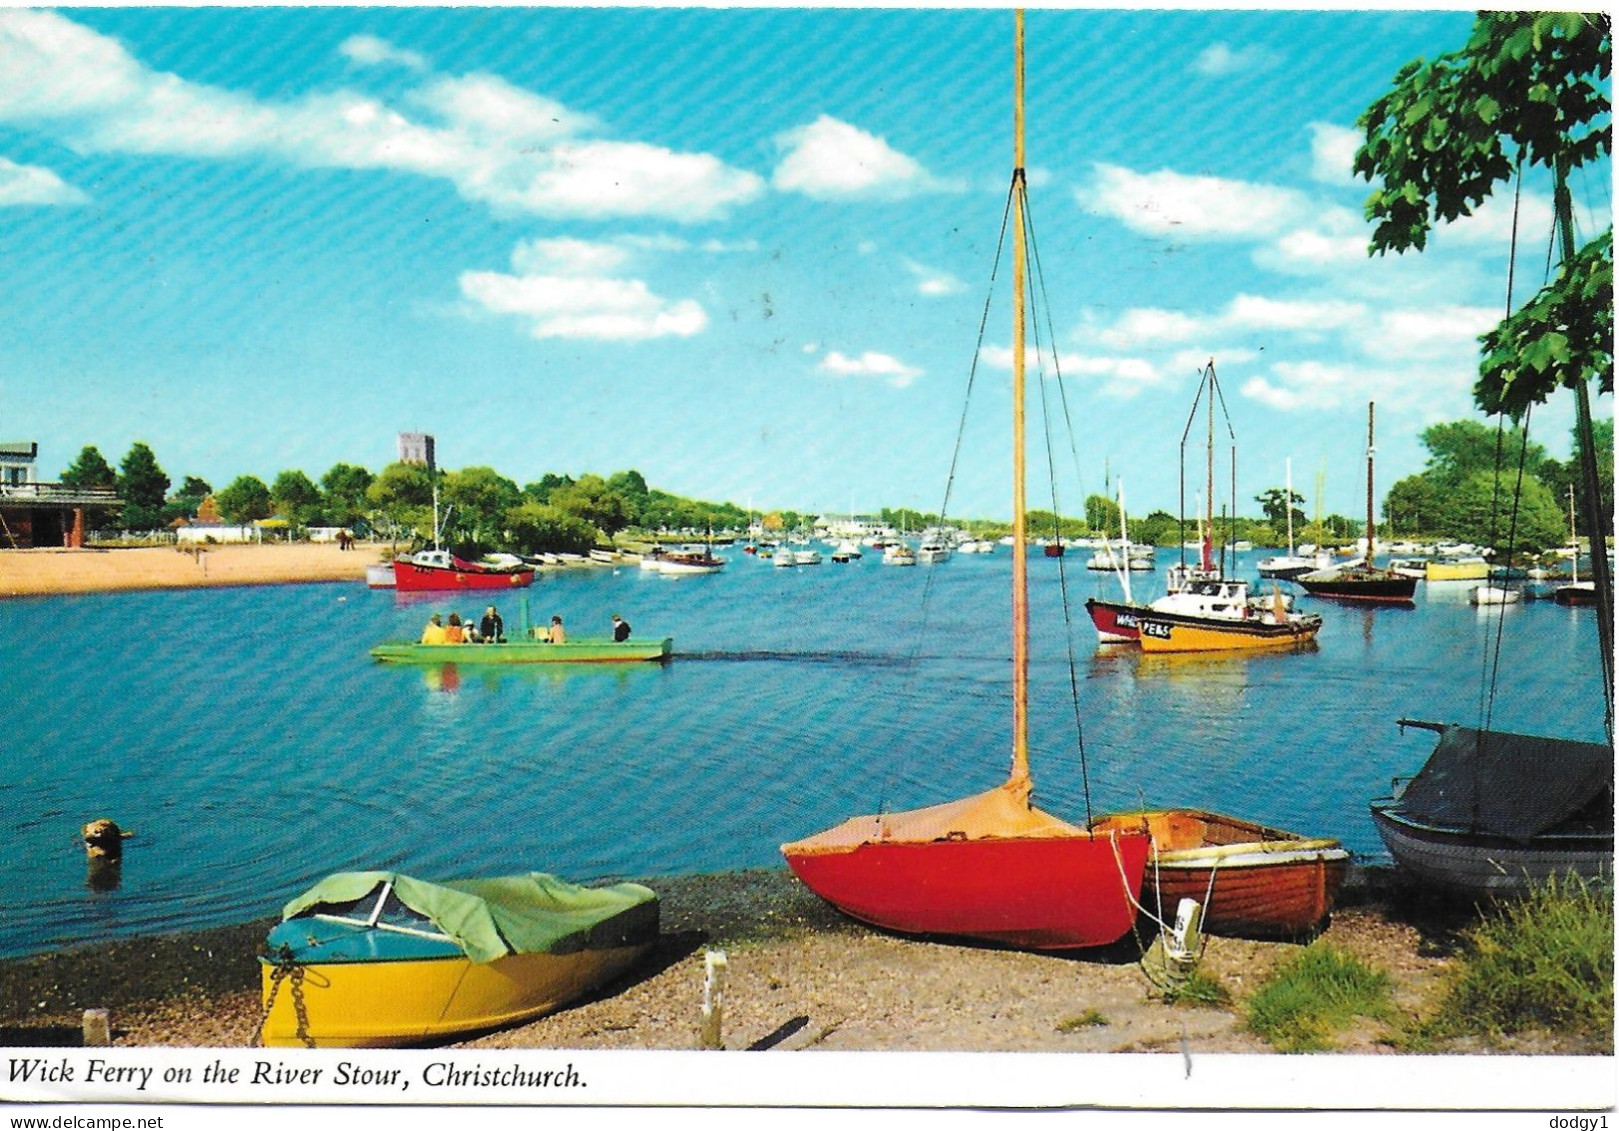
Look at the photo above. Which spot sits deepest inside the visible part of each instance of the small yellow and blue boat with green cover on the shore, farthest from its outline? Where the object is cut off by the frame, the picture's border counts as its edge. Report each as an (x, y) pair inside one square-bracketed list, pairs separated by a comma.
[(381, 960)]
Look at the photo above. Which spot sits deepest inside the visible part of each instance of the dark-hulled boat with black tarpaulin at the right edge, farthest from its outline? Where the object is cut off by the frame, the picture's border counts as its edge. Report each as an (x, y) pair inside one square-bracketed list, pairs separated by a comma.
[(1497, 815)]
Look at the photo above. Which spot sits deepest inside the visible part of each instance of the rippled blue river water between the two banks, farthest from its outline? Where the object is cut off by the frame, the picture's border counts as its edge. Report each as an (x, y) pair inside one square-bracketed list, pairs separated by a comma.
[(253, 747)]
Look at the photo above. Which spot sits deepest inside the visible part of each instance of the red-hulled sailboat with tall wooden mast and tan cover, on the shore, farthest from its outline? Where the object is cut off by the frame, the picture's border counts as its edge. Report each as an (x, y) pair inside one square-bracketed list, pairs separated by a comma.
[(990, 866)]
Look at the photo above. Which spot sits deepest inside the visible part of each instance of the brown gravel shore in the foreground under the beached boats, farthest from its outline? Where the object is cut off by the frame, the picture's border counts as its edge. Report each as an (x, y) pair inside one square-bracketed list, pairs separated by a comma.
[(801, 976)]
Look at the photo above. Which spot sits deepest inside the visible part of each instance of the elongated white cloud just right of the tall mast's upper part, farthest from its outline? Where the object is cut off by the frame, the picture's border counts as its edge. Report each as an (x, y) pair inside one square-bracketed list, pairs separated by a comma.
[(1168, 203)]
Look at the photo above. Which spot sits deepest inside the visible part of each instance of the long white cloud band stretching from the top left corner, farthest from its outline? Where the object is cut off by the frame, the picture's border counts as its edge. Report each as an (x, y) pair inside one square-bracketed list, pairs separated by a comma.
[(496, 143)]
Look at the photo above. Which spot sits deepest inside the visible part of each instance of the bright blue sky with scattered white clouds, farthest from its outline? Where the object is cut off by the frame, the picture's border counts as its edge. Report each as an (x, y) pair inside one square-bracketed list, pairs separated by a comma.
[(744, 252)]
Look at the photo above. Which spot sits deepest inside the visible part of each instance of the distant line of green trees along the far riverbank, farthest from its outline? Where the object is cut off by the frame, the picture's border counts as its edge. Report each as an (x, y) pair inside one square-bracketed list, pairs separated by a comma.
[(1484, 485)]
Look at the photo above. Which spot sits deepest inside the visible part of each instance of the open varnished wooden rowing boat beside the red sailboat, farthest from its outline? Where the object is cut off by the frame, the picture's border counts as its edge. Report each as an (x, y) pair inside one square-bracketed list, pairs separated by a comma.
[(1249, 879)]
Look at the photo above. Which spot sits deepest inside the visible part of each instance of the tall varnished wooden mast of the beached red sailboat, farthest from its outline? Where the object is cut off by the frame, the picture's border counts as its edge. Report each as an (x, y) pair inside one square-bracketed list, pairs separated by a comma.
[(1019, 528)]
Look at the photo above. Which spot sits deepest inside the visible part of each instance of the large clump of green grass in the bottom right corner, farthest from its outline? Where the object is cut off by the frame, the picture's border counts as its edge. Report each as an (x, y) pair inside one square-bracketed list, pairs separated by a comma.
[(1545, 964)]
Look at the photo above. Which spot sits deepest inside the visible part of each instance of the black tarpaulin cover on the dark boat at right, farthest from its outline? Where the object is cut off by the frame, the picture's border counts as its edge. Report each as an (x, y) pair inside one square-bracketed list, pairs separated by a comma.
[(1505, 786)]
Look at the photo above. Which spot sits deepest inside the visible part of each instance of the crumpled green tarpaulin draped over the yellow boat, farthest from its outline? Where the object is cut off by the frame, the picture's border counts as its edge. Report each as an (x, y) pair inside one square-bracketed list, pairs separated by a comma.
[(508, 915)]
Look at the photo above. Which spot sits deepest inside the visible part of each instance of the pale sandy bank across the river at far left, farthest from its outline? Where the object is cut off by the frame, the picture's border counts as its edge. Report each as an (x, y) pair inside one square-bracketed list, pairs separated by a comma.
[(40, 574)]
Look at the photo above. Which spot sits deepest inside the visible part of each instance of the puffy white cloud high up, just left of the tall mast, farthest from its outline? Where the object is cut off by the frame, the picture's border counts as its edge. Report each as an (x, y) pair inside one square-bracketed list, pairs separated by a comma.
[(835, 161)]
